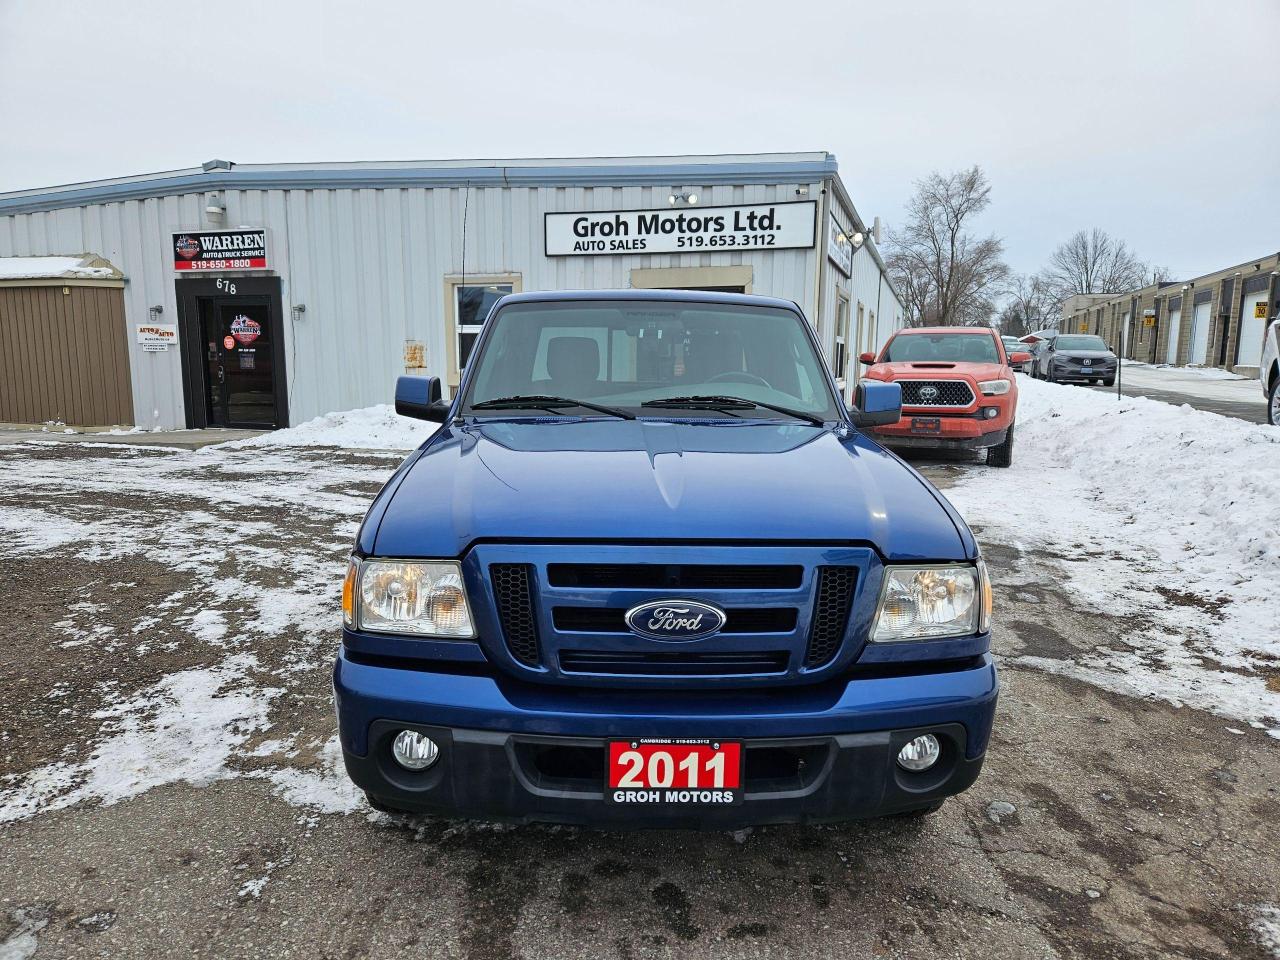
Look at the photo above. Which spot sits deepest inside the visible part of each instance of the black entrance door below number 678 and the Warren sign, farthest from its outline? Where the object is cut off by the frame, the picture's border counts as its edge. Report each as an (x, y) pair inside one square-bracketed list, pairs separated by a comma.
[(234, 358)]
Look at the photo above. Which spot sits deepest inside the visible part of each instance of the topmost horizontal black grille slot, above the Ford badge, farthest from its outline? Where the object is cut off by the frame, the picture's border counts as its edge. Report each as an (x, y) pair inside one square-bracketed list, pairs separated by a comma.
[(691, 577)]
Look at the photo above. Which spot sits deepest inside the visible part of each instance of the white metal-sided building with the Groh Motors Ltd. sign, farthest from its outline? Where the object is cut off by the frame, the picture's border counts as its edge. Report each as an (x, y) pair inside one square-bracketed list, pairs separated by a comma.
[(267, 295)]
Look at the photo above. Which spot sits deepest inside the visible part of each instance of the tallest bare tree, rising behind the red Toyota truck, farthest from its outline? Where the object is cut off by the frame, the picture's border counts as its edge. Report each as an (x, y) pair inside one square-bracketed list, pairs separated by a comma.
[(948, 276)]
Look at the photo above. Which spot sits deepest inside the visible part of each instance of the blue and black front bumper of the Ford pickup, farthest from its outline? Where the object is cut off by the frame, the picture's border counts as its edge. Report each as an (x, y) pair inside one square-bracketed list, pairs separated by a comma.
[(527, 753)]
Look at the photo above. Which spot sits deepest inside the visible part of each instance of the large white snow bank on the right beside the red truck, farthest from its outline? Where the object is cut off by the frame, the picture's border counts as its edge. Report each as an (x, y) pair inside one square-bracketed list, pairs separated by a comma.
[(1165, 514)]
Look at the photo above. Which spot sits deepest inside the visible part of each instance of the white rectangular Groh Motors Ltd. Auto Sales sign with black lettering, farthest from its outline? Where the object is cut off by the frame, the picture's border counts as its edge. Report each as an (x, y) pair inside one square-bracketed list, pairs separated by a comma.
[(683, 230)]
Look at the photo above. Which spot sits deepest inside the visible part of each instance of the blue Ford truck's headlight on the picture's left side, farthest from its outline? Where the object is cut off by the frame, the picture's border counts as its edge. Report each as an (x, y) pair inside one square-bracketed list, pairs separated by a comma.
[(426, 598)]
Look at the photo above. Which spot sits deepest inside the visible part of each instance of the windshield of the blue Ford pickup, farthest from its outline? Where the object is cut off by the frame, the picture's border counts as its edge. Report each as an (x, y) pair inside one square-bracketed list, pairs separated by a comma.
[(624, 354)]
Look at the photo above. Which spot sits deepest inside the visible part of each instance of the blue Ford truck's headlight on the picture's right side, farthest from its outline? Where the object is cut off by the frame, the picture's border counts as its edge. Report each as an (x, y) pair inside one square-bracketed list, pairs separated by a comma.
[(921, 604)]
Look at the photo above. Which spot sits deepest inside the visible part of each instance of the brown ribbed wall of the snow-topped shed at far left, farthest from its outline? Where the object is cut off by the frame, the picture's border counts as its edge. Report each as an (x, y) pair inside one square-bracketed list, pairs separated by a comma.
[(65, 356)]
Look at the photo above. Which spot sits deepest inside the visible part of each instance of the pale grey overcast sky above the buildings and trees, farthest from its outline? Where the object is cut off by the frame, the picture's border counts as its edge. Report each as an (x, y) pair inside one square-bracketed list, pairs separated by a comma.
[(1155, 120)]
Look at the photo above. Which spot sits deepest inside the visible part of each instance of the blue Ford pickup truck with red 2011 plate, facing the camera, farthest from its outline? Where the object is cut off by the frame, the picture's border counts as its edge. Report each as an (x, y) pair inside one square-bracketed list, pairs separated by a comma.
[(651, 573)]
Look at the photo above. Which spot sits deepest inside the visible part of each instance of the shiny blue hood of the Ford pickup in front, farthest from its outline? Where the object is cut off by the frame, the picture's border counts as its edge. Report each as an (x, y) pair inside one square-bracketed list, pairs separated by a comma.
[(660, 481)]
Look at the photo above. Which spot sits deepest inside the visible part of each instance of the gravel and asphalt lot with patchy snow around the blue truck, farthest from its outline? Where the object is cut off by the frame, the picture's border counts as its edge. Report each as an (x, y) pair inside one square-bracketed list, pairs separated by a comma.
[(168, 781)]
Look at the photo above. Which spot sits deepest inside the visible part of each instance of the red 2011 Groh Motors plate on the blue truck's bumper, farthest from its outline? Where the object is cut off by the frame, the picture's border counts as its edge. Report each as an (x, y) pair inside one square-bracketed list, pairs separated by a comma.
[(674, 771)]
